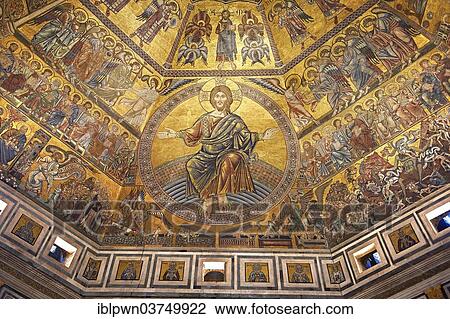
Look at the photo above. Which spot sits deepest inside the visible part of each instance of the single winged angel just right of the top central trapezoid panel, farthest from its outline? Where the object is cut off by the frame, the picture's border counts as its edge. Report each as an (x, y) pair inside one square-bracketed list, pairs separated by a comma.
[(292, 17)]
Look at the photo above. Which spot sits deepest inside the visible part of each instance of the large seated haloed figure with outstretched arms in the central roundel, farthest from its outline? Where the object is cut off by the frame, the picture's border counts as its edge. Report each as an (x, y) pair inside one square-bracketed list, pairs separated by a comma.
[(221, 166)]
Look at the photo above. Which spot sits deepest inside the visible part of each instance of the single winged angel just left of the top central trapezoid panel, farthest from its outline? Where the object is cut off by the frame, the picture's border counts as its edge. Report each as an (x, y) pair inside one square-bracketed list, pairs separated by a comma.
[(159, 15)]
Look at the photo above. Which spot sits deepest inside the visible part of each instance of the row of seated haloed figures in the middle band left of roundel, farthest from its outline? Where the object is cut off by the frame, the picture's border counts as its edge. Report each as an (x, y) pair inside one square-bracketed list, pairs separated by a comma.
[(58, 107)]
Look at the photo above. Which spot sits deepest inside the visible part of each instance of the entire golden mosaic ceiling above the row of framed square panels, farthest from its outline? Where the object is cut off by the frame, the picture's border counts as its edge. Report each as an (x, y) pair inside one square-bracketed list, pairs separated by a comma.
[(224, 124)]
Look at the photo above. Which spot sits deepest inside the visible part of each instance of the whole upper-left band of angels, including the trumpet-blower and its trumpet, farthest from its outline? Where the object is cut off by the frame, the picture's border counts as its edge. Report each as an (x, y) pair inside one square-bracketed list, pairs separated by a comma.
[(98, 65)]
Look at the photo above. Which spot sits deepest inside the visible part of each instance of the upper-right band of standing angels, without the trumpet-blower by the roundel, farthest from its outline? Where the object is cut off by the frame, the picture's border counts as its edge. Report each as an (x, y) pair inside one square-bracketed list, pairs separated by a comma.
[(359, 57)]
